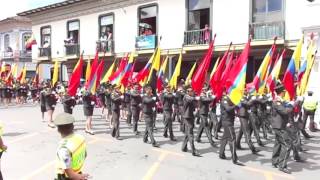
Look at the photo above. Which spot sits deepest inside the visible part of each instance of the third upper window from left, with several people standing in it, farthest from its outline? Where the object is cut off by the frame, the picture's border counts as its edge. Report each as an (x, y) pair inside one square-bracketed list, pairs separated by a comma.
[(106, 27)]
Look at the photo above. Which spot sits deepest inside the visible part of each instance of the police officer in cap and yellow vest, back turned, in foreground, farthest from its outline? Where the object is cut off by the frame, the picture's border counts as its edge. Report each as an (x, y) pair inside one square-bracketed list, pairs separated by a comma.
[(71, 153)]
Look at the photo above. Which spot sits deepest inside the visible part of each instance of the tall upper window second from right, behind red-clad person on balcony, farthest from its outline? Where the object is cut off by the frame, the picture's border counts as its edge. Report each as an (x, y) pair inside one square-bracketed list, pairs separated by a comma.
[(198, 14)]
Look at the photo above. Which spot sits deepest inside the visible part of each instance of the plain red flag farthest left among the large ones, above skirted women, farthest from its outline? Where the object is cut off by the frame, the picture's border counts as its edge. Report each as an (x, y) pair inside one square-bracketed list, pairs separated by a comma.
[(74, 81)]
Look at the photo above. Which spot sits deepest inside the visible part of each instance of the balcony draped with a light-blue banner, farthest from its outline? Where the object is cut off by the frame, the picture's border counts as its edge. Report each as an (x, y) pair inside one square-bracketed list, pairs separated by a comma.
[(146, 42)]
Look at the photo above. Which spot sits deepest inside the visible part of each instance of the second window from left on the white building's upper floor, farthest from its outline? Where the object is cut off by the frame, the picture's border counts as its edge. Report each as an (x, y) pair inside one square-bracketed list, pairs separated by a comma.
[(73, 28)]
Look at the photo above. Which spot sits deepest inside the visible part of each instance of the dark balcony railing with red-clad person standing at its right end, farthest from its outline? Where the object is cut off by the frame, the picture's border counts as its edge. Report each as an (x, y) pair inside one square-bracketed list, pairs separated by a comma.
[(197, 37)]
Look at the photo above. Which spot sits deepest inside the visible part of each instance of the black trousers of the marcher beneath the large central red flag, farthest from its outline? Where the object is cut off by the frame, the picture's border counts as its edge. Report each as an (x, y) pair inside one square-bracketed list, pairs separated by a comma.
[(188, 135)]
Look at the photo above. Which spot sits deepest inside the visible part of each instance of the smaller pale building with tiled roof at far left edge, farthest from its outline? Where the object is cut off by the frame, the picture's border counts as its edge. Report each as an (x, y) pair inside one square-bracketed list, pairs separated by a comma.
[(14, 33)]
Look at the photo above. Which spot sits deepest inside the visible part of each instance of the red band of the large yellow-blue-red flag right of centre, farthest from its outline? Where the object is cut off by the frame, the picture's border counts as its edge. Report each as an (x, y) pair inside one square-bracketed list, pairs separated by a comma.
[(239, 63)]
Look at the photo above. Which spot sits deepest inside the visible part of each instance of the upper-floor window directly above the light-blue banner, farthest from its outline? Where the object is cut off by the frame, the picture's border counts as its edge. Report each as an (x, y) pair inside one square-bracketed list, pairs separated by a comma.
[(148, 20)]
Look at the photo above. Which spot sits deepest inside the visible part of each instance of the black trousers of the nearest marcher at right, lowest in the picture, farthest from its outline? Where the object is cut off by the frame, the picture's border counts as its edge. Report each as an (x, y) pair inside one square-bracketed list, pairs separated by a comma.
[(282, 148)]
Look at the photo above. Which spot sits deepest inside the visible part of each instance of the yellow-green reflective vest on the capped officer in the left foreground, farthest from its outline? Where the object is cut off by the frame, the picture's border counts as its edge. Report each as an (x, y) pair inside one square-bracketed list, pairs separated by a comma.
[(77, 147)]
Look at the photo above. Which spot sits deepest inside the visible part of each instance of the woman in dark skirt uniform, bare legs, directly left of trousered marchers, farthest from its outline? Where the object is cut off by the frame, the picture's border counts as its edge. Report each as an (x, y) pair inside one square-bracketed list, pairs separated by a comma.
[(88, 107)]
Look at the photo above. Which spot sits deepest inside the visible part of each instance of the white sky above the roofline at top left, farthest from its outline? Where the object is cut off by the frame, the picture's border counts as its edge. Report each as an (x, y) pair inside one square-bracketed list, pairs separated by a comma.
[(10, 8)]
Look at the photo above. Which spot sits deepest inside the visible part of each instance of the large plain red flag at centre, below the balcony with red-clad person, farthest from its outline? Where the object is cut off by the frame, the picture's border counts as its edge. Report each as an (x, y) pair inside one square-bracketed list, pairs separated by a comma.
[(199, 76)]
